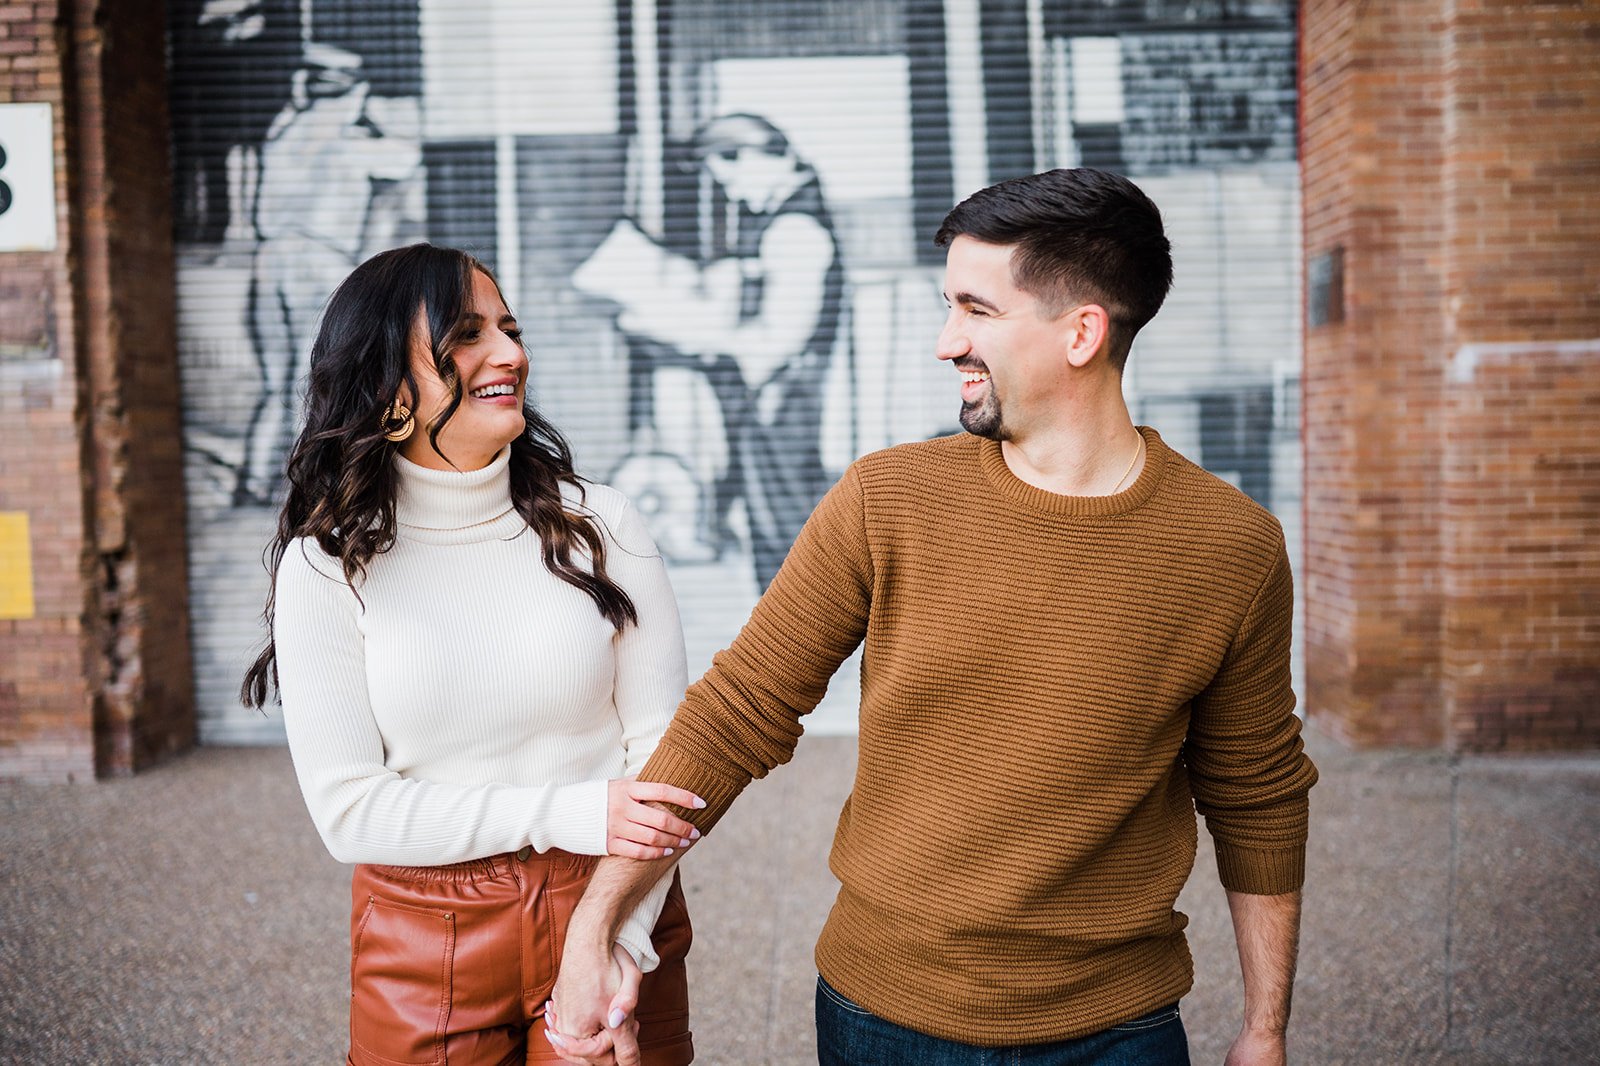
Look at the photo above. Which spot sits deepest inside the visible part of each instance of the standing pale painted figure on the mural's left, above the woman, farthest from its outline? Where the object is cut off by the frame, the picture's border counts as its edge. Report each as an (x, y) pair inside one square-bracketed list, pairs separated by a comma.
[(318, 215)]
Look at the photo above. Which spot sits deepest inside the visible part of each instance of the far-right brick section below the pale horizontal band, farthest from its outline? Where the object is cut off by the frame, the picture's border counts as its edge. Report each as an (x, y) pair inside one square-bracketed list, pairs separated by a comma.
[(1522, 547)]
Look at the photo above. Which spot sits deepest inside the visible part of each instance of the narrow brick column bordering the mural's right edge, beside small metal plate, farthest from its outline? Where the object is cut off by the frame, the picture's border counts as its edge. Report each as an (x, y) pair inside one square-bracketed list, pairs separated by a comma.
[(1372, 143)]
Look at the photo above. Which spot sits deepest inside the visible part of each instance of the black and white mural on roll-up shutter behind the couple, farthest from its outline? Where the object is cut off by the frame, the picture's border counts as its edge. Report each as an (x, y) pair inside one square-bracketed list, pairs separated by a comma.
[(714, 220)]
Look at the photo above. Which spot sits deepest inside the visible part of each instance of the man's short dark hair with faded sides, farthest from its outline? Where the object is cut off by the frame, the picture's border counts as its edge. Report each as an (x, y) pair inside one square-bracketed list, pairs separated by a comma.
[(1081, 238)]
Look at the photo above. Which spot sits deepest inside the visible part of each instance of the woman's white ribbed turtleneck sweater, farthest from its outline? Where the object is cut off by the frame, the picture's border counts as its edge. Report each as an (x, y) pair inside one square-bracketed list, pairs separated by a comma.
[(468, 702)]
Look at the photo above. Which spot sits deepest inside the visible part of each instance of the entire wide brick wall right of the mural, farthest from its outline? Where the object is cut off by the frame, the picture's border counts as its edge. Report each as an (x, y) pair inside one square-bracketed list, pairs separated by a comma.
[(1450, 154)]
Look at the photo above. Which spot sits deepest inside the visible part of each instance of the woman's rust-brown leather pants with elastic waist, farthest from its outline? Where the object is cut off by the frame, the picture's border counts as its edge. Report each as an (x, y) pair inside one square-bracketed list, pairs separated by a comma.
[(454, 964)]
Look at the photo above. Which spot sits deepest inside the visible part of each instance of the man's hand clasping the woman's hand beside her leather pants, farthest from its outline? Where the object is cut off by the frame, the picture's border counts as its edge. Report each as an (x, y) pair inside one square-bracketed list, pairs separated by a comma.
[(574, 1036)]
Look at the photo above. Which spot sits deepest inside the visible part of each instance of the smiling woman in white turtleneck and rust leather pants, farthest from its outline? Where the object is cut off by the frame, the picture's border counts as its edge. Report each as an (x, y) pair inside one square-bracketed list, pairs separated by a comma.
[(473, 651)]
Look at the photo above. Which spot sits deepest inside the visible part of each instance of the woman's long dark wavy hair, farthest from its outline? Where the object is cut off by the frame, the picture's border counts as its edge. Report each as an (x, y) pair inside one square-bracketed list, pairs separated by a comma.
[(342, 473)]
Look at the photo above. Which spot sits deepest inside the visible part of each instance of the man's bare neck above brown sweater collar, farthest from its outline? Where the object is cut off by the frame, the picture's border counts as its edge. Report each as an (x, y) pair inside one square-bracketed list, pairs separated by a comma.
[(1094, 451)]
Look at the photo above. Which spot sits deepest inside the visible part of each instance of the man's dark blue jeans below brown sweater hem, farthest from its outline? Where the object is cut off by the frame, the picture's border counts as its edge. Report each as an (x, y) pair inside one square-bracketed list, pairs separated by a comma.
[(852, 1036)]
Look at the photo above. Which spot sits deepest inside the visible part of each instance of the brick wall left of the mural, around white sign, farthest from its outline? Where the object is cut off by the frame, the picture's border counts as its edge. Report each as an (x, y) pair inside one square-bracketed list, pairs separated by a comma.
[(97, 681)]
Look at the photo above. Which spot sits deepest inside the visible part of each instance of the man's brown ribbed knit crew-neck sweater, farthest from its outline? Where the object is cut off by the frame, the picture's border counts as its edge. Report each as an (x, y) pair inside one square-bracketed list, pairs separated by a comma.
[(1050, 687)]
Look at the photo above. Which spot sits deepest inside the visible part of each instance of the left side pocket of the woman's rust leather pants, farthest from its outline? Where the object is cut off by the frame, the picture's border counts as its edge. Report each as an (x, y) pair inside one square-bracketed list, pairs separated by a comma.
[(401, 982)]
